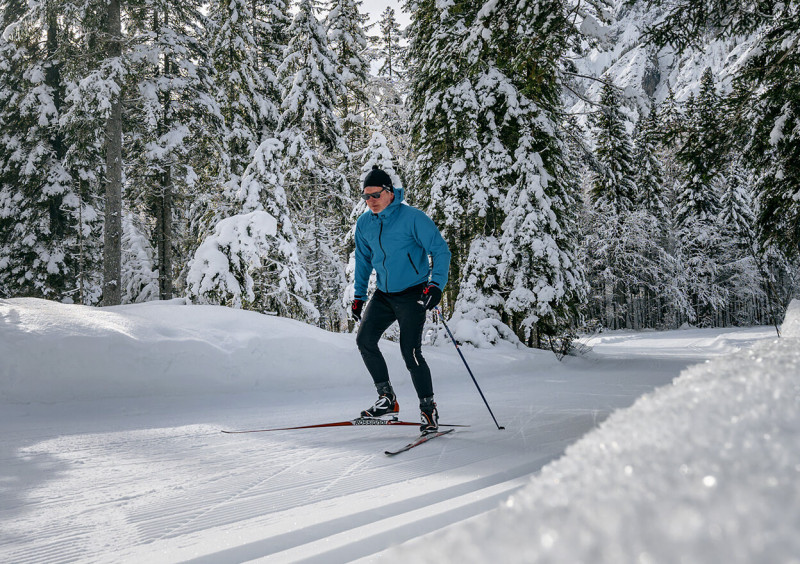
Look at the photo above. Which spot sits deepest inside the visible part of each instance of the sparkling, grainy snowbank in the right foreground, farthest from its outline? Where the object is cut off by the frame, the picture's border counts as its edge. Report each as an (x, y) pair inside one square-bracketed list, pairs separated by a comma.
[(704, 470)]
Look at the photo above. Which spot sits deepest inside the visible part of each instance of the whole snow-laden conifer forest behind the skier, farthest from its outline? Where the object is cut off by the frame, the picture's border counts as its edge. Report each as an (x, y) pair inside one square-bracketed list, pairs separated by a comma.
[(592, 165)]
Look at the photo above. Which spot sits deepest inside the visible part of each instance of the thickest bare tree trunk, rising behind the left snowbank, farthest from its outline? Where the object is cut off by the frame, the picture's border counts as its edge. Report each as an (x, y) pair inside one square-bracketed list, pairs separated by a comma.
[(112, 251)]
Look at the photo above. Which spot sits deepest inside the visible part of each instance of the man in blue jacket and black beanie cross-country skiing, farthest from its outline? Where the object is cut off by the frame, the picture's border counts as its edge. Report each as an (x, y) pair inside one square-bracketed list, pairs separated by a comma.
[(411, 261)]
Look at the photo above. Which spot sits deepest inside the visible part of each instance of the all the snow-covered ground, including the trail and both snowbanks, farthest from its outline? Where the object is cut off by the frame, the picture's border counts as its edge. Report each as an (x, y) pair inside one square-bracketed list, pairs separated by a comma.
[(111, 450)]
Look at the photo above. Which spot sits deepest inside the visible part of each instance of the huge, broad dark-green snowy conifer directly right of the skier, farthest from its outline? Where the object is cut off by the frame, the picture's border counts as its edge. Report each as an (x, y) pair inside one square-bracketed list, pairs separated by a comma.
[(485, 132)]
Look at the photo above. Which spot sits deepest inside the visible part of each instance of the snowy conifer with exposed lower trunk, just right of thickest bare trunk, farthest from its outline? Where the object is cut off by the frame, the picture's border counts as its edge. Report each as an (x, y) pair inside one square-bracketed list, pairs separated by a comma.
[(175, 120)]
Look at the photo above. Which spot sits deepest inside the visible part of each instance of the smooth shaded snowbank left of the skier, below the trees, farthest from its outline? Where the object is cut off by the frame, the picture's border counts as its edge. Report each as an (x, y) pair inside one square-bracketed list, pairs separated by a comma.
[(53, 352)]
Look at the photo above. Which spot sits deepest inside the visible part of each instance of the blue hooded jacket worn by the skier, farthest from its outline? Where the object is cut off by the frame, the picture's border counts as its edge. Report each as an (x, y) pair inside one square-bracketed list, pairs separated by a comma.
[(396, 243)]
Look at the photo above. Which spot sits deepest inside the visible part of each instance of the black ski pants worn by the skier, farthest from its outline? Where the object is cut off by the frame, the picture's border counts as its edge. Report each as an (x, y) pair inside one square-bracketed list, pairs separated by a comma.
[(383, 310)]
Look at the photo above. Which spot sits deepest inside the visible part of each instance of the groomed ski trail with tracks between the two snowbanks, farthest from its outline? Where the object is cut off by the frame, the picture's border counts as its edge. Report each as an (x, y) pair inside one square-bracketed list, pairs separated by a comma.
[(155, 481)]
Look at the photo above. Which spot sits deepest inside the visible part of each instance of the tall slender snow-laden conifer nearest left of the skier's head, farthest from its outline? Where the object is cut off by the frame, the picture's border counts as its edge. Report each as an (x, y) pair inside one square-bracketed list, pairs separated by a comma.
[(315, 146)]
